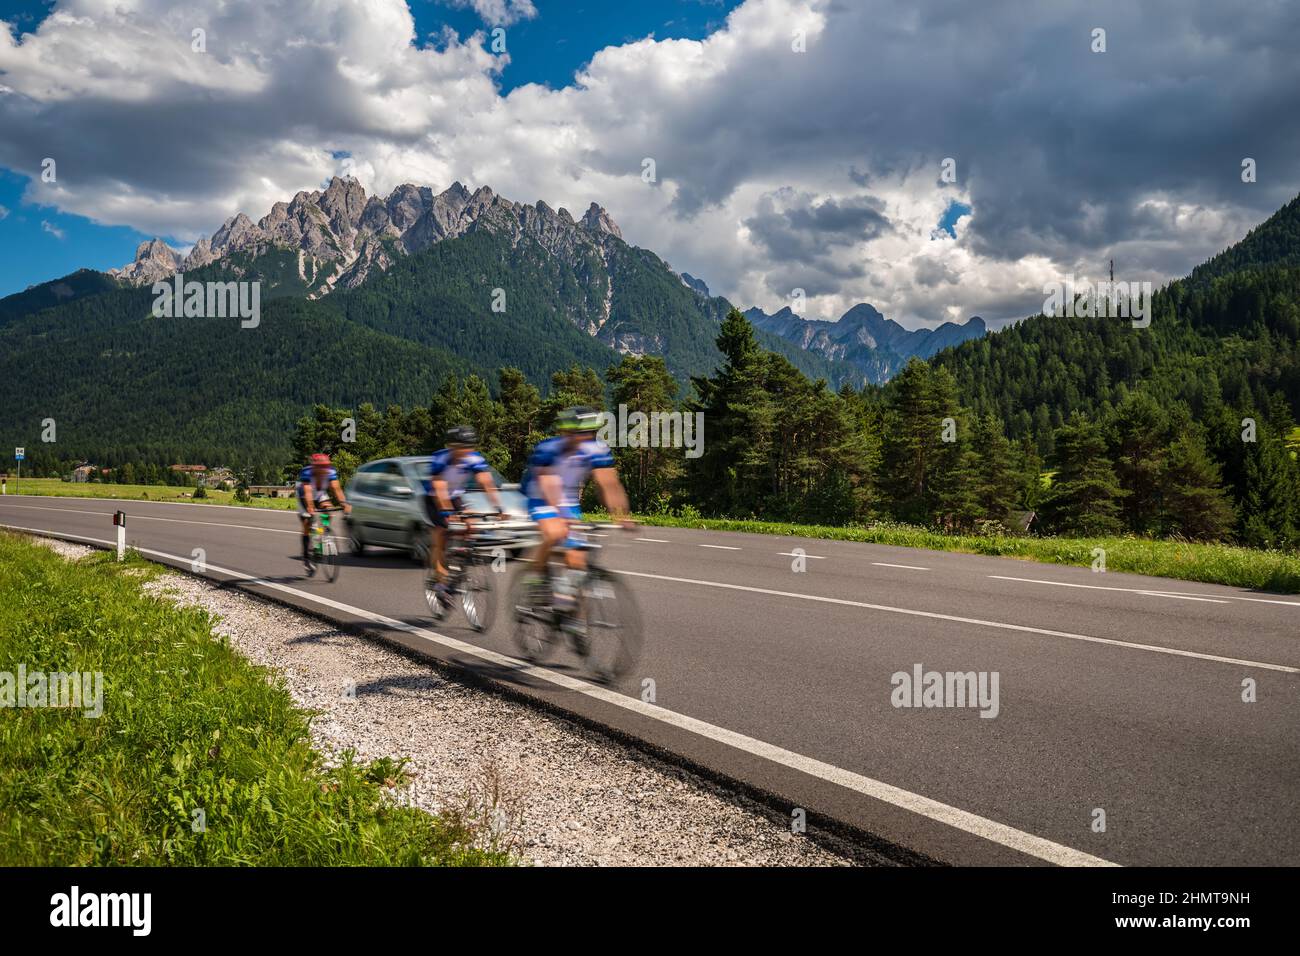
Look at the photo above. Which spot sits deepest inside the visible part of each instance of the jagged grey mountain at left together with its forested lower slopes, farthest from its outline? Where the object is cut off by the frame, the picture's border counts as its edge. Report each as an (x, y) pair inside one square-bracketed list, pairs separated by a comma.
[(363, 300)]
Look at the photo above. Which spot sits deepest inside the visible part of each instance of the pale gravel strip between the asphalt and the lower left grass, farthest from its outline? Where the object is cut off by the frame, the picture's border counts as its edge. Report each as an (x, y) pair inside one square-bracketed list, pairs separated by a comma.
[(552, 791)]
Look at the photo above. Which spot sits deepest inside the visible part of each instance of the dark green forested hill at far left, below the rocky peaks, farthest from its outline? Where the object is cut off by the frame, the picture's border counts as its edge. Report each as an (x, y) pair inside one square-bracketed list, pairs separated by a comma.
[(123, 386)]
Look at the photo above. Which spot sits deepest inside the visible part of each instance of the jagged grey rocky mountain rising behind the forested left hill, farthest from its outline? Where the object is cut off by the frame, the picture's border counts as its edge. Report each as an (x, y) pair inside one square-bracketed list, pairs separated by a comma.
[(340, 239)]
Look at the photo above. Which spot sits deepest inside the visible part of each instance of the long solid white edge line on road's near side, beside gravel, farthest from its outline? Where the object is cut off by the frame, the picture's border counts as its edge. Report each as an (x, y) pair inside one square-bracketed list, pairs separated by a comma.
[(955, 817)]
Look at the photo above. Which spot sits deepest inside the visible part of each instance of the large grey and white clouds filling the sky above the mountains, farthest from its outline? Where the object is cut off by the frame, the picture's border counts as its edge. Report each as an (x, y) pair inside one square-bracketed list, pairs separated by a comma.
[(774, 170)]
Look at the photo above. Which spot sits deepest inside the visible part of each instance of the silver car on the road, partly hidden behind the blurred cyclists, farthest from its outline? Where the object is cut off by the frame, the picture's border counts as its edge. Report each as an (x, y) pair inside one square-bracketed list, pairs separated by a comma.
[(388, 509)]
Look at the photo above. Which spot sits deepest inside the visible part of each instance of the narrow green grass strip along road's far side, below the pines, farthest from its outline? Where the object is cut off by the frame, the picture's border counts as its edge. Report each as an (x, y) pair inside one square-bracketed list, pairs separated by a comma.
[(1242, 568)]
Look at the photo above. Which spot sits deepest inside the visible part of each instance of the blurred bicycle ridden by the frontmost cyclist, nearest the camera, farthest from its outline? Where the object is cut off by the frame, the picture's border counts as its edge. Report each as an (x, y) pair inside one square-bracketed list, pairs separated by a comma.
[(593, 608)]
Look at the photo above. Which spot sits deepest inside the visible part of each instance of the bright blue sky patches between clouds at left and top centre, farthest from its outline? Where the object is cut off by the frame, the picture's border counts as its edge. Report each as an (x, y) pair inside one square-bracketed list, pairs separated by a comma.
[(40, 244)]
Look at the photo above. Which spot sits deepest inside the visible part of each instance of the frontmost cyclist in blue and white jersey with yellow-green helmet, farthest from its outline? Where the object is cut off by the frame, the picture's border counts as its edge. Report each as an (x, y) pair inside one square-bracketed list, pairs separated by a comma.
[(557, 473)]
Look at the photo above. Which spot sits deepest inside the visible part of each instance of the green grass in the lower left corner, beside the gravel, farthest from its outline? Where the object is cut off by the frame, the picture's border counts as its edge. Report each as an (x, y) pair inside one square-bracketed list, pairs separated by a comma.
[(188, 725)]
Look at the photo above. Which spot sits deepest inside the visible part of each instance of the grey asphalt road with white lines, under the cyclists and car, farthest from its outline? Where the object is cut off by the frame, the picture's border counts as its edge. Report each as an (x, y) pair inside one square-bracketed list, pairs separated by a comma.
[(1117, 695)]
